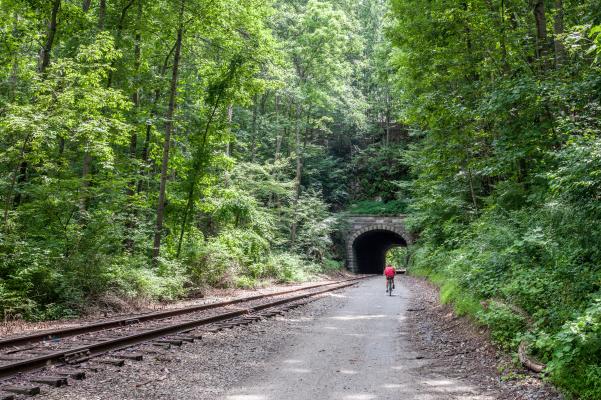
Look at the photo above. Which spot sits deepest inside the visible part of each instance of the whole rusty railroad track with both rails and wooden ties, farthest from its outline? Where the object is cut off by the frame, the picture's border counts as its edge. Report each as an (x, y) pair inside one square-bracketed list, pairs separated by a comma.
[(111, 342)]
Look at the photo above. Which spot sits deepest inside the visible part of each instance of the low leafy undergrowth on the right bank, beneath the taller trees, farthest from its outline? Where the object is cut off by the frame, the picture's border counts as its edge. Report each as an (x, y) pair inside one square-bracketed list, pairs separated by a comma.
[(526, 278)]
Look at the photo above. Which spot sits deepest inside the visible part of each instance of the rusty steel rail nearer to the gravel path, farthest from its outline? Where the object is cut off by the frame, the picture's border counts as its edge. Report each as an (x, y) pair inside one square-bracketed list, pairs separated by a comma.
[(86, 352)]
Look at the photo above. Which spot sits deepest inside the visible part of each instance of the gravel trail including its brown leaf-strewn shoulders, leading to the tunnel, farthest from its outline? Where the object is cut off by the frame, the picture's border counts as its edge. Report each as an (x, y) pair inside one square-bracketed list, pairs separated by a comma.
[(355, 344)]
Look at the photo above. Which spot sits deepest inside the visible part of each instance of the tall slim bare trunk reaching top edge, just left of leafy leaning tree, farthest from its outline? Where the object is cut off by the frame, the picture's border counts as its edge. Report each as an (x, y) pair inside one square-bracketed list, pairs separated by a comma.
[(156, 250)]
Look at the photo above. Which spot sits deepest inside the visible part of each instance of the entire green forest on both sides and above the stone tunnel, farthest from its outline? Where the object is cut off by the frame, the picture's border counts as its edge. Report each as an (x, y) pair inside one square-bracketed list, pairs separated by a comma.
[(151, 148)]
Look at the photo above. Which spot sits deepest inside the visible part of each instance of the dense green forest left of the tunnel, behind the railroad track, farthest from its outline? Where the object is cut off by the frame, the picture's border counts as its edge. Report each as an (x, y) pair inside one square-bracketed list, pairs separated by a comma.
[(151, 148)]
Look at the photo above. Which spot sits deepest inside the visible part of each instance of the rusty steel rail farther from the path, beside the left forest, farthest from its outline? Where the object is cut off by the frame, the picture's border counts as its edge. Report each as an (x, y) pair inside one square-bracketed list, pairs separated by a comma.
[(134, 319)]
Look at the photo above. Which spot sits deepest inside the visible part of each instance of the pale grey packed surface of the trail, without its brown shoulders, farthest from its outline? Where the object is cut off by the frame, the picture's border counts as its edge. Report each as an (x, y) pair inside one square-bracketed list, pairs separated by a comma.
[(358, 350)]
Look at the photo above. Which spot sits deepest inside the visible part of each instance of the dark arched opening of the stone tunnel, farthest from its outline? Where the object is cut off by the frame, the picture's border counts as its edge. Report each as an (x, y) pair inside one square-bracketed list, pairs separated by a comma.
[(370, 250)]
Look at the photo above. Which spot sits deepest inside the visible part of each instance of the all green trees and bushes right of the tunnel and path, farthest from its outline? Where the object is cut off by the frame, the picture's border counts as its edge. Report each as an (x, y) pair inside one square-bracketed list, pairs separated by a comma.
[(505, 159)]
